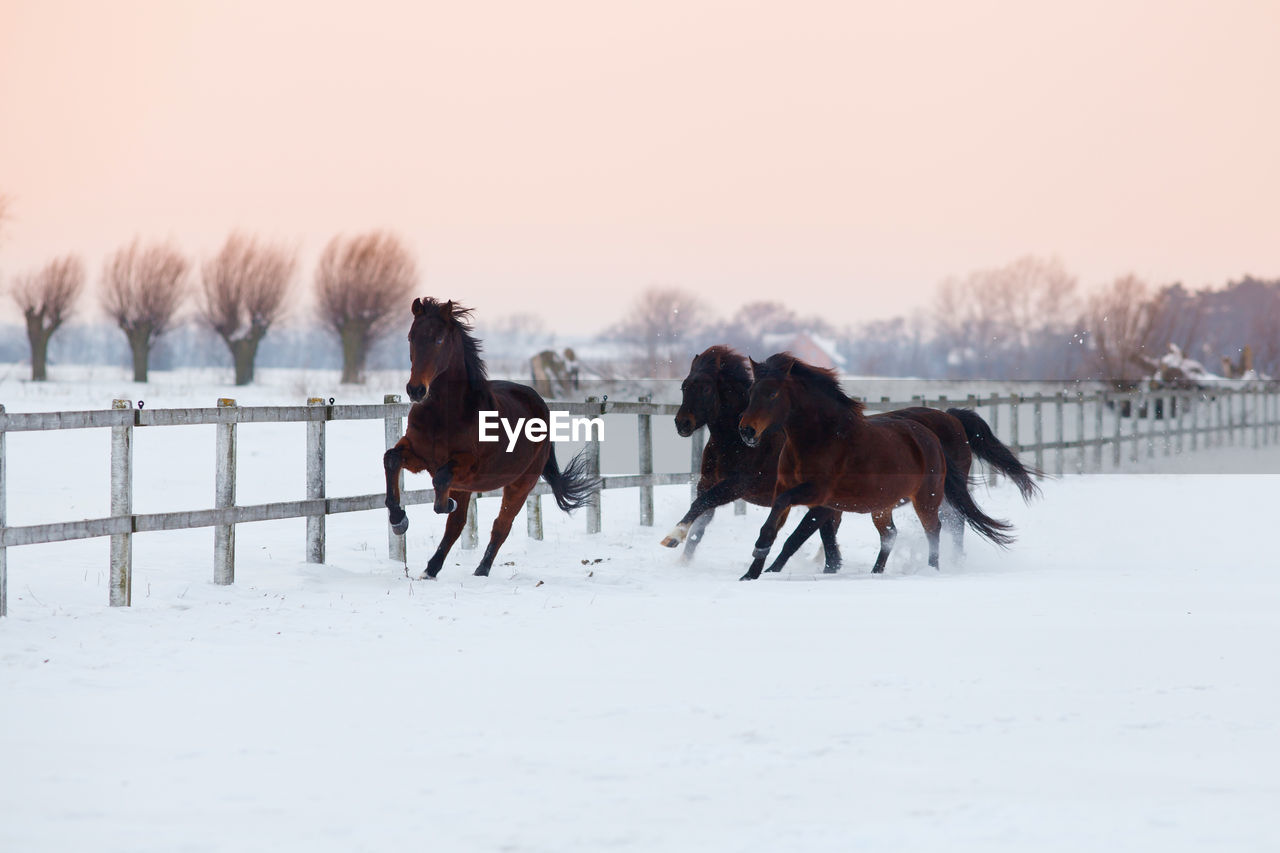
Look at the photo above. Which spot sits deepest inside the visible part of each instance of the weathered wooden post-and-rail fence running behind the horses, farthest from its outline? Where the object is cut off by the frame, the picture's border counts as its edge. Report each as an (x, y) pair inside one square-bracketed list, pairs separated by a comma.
[(1081, 427)]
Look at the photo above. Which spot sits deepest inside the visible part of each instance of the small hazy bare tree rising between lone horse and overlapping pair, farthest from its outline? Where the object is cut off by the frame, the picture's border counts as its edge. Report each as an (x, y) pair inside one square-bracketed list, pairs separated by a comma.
[(662, 323)]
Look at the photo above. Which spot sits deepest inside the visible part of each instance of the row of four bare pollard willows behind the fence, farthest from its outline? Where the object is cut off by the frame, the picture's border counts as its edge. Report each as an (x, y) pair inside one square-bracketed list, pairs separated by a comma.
[(362, 286)]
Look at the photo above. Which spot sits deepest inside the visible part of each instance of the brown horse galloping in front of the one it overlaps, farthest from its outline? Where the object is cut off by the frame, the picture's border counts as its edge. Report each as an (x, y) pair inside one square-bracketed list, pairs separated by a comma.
[(836, 459)]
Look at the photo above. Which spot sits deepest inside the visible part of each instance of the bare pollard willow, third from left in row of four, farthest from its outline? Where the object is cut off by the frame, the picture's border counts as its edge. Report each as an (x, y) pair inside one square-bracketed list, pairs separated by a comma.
[(243, 294)]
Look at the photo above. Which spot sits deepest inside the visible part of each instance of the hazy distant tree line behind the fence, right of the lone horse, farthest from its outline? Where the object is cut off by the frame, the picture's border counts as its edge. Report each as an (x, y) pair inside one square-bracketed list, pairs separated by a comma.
[(1028, 320)]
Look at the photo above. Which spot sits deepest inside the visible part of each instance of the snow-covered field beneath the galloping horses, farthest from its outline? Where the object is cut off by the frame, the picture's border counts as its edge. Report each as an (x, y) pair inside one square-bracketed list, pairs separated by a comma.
[(1109, 683)]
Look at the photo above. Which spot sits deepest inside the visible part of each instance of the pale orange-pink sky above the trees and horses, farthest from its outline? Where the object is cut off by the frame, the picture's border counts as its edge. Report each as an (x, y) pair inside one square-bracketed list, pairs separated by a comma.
[(559, 157)]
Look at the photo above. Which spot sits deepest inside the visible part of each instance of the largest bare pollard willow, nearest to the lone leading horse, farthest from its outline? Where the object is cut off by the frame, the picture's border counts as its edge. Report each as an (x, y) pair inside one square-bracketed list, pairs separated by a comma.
[(363, 285)]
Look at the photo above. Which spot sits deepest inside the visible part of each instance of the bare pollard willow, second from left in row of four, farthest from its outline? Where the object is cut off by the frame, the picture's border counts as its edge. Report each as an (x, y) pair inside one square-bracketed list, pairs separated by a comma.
[(143, 290)]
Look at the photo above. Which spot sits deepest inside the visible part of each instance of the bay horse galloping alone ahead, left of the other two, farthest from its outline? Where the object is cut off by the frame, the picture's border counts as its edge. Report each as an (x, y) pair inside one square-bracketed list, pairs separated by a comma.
[(450, 389)]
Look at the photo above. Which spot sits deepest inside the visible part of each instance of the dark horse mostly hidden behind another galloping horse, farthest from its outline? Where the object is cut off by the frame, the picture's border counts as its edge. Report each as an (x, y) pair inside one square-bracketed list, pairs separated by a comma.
[(715, 394)]
